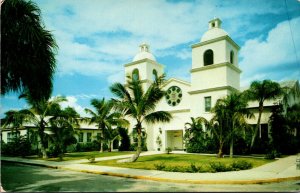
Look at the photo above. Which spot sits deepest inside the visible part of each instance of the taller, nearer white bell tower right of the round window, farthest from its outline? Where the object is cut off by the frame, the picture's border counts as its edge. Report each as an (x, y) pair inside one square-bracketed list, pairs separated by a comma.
[(215, 72)]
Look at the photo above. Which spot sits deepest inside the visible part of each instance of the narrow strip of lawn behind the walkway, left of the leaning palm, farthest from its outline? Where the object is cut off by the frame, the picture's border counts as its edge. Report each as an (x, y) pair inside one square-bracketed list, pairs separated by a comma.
[(84, 155)]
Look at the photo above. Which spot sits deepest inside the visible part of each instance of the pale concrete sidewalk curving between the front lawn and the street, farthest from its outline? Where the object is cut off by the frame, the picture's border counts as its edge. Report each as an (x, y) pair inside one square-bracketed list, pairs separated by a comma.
[(282, 169)]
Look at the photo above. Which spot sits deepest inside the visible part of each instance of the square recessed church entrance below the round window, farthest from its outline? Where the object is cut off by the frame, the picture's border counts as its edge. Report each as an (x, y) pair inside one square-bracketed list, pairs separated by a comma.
[(174, 139)]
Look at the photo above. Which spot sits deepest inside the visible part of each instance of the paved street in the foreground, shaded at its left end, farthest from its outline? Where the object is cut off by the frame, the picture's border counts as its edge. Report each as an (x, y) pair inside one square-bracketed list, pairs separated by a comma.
[(26, 178)]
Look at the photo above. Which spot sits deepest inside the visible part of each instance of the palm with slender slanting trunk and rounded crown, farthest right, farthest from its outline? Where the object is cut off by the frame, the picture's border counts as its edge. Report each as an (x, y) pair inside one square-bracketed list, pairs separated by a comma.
[(261, 91)]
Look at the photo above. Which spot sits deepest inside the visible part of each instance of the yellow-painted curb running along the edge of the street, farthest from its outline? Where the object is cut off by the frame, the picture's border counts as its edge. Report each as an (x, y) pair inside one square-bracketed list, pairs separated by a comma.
[(256, 181)]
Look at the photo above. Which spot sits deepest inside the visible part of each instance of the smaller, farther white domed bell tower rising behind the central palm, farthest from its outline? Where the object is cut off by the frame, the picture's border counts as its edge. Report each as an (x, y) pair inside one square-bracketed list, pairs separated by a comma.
[(144, 66)]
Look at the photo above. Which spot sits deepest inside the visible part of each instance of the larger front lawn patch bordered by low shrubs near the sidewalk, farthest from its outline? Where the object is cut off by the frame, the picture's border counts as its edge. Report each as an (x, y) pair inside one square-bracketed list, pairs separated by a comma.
[(179, 161)]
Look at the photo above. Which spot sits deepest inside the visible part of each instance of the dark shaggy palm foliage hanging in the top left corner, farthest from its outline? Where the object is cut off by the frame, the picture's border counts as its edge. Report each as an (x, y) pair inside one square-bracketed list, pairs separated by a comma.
[(28, 50)]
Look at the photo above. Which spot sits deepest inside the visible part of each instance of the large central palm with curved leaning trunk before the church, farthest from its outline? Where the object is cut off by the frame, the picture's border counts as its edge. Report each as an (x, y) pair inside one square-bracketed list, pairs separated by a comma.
[(140, 105)]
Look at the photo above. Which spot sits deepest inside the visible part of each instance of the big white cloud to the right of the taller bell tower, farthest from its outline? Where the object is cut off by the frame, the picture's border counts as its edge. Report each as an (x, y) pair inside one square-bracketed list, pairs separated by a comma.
[(276, 51)]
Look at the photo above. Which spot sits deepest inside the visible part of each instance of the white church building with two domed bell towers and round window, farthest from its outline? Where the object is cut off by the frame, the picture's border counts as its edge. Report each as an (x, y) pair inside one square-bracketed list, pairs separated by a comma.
[(214, 74)]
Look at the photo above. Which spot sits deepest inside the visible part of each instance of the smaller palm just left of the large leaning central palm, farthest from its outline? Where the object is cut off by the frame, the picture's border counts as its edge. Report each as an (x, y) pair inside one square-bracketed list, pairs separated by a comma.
[(104, 117)]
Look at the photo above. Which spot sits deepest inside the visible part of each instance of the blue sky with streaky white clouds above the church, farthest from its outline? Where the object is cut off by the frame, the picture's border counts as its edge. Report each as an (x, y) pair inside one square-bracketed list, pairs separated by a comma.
[(97, 37)]
